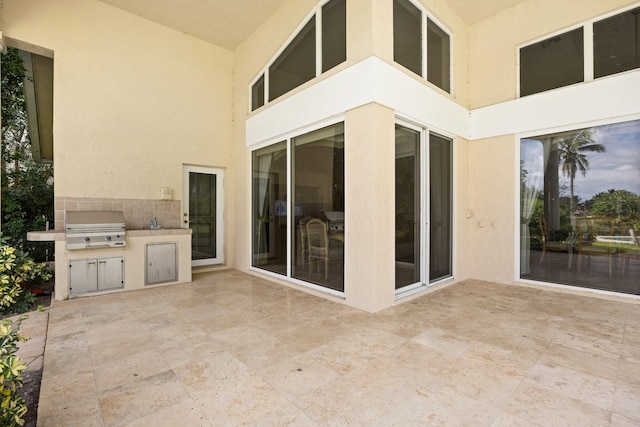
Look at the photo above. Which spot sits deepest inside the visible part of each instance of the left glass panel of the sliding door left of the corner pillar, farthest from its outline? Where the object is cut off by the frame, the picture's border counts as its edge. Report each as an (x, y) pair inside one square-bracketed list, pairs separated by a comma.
[(269, 189)]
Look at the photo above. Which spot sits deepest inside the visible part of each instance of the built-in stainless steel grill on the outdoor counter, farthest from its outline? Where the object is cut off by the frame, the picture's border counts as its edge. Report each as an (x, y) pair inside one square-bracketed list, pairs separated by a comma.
[(95, 229)]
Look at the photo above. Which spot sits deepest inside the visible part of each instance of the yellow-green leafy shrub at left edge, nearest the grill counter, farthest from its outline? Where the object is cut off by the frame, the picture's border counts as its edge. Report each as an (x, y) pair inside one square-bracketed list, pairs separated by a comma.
[(15, 269)]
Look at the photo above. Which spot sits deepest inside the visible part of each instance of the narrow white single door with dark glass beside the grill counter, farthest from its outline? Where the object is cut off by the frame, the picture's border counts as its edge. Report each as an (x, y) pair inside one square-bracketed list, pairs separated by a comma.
[(202, 204)]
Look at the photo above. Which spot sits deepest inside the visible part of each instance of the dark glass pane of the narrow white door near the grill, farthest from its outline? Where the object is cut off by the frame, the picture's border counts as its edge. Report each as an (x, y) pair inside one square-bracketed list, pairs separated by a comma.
[(202, 214)]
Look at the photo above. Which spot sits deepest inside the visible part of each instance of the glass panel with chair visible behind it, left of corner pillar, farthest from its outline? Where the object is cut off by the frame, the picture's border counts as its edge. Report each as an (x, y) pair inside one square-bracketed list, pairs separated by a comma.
[(318, 234)]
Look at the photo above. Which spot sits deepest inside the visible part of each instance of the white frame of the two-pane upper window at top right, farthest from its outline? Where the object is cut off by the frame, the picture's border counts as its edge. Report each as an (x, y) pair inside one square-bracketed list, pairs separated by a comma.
[(588, 45)]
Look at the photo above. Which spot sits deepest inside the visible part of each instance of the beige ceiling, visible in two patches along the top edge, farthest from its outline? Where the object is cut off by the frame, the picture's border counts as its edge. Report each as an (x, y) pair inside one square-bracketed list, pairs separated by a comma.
[(227, 23)]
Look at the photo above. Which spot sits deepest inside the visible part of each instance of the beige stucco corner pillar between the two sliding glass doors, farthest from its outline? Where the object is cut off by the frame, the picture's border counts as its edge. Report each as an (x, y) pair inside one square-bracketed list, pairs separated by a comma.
[(369, 217)]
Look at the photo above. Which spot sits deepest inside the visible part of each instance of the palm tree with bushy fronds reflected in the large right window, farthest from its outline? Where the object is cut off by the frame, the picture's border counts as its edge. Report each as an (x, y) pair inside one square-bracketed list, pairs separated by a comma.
[(573, 151)]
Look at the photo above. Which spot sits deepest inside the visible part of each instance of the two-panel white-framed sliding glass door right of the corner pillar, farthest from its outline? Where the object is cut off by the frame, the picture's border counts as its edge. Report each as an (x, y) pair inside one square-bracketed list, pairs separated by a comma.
[(423, 196)]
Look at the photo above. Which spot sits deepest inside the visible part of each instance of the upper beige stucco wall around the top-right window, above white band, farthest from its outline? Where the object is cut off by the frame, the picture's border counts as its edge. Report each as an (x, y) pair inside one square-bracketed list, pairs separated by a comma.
[(494, 41)]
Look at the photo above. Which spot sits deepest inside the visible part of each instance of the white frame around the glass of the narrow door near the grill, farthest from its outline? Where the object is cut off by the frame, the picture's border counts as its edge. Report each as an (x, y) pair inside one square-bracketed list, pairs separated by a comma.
[(219, 172)]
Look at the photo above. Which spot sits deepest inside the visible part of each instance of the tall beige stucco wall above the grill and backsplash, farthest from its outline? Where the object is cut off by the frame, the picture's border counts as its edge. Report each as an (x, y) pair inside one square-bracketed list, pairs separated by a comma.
[(133, 100)]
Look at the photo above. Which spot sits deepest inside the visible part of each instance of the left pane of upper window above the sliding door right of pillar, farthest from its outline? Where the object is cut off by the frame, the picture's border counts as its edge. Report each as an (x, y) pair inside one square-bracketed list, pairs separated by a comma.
[(407, 35)]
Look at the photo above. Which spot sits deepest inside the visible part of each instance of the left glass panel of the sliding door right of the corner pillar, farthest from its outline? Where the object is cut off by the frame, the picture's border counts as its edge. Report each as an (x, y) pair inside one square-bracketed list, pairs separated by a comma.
[(407, 250)]
